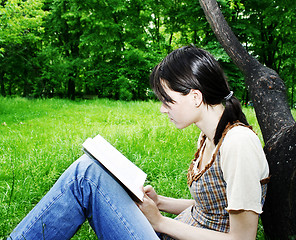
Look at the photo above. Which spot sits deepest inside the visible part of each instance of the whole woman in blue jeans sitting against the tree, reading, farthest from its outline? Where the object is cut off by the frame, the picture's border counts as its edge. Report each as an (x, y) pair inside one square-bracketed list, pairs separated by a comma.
[(227, 177)]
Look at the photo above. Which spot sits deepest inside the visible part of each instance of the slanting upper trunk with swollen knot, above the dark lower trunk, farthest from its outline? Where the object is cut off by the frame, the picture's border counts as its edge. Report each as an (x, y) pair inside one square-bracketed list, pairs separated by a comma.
[(266, 88)]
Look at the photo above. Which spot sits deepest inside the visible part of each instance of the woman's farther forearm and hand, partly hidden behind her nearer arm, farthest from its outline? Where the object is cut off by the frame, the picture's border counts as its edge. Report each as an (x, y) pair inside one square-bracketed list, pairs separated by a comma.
[(166, 204)]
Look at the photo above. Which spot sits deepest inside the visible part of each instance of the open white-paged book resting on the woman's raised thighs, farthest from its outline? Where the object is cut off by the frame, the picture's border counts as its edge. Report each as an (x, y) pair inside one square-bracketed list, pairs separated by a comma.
[(127, 173)]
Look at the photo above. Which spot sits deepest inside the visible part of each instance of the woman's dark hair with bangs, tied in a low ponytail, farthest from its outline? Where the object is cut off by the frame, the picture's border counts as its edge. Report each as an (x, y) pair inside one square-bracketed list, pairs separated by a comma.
[(192, 68)]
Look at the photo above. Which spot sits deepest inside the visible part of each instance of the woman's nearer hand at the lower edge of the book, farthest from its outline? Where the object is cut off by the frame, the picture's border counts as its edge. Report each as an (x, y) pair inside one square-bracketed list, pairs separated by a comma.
[(150, 210)]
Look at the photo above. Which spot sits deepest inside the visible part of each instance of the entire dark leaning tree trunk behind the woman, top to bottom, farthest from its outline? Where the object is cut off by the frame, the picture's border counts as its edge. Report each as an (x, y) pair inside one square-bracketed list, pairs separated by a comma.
[(278, 128)]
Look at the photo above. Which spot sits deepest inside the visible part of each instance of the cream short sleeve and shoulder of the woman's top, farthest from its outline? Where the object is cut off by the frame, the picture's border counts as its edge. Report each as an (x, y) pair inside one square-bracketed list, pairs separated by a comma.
[(243, 164)]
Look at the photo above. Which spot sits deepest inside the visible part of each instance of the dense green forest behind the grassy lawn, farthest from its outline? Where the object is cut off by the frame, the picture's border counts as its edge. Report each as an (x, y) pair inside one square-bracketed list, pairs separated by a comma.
[(80, 49)]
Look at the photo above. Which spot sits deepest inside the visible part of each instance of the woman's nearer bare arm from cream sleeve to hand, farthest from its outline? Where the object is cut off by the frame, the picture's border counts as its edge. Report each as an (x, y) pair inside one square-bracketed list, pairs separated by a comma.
[(243, 225)]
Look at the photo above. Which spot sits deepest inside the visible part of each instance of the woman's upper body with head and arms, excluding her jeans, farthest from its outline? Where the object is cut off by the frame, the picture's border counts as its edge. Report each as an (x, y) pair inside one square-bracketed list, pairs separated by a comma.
[(228, 175)]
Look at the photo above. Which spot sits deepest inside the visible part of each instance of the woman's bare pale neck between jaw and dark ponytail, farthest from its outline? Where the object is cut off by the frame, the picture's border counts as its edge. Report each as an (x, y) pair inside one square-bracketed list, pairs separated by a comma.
[(211, 116)]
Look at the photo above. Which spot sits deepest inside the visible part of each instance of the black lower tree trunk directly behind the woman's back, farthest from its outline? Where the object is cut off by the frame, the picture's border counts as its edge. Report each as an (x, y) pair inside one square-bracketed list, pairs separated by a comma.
[(279, 218)]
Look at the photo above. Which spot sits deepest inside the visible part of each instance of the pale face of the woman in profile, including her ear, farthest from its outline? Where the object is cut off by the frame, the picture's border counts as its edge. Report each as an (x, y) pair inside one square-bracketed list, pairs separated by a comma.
[(184, 111)]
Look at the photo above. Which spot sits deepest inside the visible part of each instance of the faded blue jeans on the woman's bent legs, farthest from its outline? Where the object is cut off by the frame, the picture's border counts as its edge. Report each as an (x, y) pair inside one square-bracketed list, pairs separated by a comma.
[(85, 191)]
